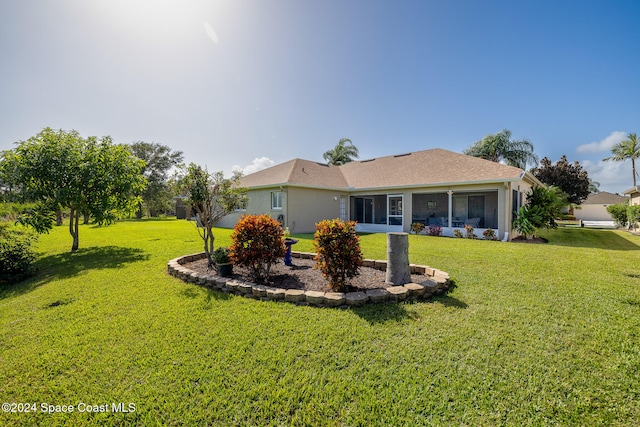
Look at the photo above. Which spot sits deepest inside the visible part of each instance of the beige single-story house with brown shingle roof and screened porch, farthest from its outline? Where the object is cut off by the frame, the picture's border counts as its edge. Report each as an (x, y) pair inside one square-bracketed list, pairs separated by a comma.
[(434, 187)]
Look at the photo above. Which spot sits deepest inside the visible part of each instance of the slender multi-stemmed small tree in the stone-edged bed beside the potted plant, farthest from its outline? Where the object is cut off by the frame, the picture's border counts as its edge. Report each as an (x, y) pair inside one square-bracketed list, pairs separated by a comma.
[(213, 197)]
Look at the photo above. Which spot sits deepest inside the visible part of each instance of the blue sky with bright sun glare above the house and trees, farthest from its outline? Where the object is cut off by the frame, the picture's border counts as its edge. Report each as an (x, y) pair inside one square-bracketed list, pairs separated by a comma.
[(252, 83)]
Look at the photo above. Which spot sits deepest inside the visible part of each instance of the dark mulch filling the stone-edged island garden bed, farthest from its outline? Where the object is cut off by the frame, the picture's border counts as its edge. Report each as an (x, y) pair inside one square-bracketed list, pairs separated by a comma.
[(303, 276)]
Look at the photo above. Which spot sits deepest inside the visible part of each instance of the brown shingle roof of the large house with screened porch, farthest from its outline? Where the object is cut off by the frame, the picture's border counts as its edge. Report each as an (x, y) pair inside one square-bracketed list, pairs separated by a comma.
[(427, 167)]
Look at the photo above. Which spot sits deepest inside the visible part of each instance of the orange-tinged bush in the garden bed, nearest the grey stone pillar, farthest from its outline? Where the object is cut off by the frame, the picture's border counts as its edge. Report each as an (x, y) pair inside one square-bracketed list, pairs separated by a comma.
[(338, 251)]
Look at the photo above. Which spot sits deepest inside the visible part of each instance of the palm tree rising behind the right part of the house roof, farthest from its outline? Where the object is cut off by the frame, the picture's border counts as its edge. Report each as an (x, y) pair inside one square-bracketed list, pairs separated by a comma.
[(500, 148)]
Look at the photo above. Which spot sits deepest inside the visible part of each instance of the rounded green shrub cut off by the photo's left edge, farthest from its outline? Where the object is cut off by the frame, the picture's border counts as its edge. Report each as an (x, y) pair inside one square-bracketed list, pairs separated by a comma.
[(16, 255)]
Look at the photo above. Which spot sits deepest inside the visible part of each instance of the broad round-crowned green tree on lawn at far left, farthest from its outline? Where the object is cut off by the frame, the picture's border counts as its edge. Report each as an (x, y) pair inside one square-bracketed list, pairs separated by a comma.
[(59, 169)]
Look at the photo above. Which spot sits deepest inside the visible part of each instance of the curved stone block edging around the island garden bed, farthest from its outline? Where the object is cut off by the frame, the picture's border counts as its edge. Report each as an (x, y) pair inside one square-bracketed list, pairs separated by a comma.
[(438, 282)]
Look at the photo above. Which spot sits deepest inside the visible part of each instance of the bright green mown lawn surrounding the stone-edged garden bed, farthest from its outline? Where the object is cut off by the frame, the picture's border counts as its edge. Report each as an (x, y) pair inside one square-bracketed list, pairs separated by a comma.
[(532, 335)]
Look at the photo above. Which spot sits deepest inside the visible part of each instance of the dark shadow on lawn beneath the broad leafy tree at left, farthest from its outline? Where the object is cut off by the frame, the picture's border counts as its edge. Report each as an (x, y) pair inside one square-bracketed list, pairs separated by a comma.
[(70, 264)]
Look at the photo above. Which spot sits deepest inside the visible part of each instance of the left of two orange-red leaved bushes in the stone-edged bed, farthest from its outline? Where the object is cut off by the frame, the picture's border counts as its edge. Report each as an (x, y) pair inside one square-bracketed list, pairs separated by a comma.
[(257, 243)]
